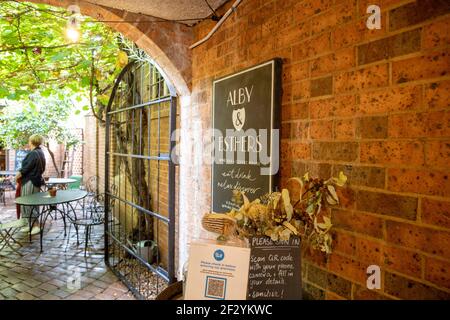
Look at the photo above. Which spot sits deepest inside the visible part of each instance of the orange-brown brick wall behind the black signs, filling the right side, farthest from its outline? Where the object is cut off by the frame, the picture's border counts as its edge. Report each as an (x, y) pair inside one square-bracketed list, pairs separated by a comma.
[(374, 104)]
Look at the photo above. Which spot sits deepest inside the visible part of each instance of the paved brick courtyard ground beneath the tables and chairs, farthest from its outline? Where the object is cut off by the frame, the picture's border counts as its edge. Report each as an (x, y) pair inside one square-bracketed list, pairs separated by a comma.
[(48, 276)]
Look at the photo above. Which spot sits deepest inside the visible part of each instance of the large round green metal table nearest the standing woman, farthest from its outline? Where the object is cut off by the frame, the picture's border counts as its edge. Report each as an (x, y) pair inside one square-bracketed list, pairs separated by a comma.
[(50, 204)]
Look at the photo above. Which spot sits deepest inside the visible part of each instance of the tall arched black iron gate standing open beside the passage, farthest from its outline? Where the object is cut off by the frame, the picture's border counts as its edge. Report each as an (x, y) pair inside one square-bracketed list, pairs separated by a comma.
[(140, 181)]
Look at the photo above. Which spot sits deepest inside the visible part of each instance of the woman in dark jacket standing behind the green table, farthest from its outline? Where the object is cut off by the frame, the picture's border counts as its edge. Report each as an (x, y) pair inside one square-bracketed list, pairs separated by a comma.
[(33, 167)]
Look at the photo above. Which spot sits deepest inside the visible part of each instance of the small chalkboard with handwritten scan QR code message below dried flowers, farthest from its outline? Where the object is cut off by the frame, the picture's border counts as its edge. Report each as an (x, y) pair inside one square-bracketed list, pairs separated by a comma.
[(275, 269)]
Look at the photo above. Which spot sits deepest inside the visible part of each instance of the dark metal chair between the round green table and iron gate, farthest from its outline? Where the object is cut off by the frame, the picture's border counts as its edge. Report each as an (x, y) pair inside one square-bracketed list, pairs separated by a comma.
[(91, 215)]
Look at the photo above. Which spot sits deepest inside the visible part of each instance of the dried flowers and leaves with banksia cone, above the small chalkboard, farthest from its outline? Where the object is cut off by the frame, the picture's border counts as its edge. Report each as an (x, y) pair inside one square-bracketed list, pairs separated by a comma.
[(279, 218)]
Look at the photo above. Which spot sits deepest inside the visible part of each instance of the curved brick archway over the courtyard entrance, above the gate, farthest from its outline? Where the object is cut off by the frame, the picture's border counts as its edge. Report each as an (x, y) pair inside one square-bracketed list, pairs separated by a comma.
[(166, 42)]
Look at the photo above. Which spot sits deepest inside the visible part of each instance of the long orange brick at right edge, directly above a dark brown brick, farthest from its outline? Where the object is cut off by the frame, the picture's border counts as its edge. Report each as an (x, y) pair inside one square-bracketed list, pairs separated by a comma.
[(428, 182)]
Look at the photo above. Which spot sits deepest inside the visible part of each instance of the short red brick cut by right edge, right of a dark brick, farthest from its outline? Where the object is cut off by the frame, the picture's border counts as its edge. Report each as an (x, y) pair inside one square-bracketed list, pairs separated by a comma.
[(436, 212)]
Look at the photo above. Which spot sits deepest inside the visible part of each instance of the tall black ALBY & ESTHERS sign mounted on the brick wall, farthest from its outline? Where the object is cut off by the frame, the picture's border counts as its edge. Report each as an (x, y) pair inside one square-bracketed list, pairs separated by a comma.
[(246, 108)]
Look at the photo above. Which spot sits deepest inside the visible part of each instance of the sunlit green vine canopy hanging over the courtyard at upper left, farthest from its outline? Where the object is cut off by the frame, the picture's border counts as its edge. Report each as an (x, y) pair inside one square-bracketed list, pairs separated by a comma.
[(35, 55)]
